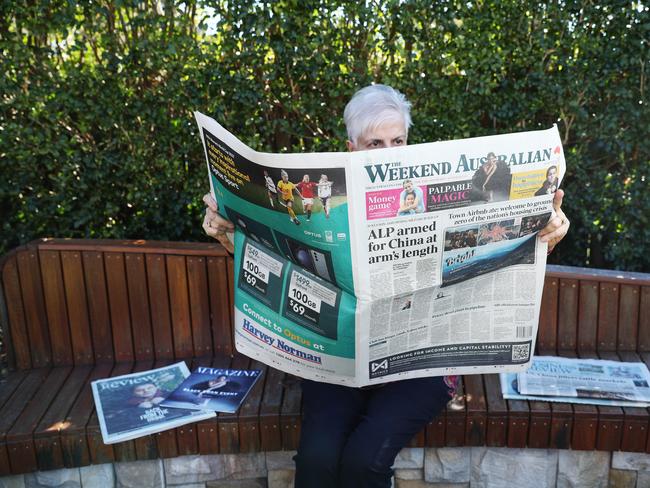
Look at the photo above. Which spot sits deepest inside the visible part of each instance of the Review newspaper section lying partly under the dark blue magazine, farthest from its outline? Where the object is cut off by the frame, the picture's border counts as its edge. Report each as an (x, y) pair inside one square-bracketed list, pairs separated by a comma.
[(129, 406)]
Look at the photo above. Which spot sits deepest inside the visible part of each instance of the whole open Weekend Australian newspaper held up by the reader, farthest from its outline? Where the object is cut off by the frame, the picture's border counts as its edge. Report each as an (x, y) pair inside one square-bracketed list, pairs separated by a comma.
[(366, 267)]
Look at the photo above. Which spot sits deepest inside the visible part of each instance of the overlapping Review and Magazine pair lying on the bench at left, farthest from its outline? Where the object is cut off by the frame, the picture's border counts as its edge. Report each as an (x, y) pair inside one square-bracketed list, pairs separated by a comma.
[(139, 404)]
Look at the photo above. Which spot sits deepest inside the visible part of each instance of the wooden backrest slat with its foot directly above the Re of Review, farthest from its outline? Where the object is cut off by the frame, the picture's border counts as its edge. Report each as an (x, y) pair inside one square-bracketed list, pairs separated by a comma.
[(98, 307)]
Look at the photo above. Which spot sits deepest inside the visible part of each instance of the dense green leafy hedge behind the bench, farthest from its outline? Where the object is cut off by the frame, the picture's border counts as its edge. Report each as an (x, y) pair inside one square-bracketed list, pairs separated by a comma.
[(97, 137)]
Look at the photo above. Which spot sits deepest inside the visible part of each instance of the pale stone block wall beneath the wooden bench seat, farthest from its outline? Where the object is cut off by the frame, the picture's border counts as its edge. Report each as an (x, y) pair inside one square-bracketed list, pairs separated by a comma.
[(476, 467)]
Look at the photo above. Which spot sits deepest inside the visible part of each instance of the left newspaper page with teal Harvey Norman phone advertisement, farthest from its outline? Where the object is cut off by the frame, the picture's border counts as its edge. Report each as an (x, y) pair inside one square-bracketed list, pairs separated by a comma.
[(294, 289)]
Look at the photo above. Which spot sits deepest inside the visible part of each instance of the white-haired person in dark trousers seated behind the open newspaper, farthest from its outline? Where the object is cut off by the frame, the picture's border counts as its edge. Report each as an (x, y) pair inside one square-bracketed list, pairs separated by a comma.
[(351, 436)]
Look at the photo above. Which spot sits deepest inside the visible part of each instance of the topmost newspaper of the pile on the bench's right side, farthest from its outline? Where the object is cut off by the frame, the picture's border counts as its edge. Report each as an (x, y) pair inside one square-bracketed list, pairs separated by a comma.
[(586, 378)]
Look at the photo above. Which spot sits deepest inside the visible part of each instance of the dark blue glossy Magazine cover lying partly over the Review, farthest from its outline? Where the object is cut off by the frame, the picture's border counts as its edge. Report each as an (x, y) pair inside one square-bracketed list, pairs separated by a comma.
[(216, 389)]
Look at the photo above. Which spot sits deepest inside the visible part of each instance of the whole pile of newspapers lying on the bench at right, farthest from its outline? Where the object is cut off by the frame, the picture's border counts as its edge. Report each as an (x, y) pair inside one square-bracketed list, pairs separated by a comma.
[(593, 381)]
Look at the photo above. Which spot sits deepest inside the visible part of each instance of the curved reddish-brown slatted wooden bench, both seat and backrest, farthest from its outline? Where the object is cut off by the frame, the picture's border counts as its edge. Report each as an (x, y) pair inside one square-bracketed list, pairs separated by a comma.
[(76, 310)]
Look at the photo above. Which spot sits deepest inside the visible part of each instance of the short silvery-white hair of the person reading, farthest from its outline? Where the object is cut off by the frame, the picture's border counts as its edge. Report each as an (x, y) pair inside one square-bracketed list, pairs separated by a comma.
[(373, 105)]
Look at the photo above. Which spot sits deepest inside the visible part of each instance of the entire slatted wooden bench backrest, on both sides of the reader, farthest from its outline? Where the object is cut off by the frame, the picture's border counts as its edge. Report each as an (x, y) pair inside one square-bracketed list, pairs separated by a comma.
[(91, 301)]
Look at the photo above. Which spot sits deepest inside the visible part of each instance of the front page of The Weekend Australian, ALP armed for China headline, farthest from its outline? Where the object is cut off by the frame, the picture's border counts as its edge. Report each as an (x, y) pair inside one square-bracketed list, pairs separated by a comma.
[(450, 266)]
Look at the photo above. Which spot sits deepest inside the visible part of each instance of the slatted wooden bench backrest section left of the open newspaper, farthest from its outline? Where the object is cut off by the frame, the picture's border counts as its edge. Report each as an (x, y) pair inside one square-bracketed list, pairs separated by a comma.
[(91, 301)]
